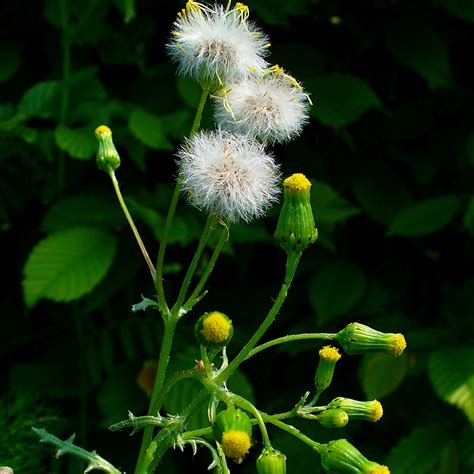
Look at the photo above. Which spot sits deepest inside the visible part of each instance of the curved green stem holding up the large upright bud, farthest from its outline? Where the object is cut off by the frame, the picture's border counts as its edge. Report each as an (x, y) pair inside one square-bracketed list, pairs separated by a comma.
[(291, 265)]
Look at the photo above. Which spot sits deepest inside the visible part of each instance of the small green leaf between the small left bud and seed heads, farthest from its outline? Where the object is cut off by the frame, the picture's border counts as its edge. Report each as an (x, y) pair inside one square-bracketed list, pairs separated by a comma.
[(149, 129)]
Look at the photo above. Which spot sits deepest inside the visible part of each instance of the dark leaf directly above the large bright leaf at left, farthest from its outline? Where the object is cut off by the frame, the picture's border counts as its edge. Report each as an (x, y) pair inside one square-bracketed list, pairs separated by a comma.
[(83, 210)]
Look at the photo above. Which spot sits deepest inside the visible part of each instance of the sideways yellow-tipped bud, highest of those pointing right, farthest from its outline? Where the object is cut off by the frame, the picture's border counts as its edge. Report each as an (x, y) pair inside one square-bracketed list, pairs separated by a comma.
[(357, 338)]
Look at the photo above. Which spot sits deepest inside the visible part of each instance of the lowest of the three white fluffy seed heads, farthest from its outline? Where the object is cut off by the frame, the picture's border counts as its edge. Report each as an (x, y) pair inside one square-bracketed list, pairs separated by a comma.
[(228, 175)]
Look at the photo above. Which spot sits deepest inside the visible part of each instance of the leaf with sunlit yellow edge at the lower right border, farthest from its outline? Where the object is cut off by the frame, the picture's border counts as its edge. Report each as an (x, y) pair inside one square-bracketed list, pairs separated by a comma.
[(451, 372)]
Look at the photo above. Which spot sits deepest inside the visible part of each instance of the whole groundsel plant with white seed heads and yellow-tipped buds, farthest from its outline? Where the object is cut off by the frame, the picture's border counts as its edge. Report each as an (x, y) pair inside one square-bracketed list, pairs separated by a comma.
[(229, 175)]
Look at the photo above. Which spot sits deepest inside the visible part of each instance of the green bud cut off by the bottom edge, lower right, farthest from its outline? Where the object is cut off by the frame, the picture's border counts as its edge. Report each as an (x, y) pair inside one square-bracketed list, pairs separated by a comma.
[(340, 456)]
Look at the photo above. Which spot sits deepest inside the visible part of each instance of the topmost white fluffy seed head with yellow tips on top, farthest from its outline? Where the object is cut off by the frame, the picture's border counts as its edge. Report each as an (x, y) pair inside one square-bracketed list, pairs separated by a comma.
[(215, 45)]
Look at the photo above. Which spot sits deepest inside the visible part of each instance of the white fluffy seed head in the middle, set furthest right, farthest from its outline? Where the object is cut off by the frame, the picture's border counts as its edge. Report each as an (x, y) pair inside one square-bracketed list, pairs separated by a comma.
[(272, 107)]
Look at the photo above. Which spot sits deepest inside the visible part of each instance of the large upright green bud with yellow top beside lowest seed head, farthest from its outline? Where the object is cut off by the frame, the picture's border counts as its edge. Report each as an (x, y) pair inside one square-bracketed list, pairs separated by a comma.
[(295, 229)]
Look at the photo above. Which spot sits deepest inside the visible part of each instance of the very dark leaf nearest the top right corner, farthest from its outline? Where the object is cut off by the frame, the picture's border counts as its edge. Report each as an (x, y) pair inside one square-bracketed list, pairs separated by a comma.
[(416, 45)]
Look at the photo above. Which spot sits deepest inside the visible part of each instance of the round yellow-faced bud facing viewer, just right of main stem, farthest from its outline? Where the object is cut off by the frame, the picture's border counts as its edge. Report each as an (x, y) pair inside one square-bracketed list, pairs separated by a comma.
[(214, 330)]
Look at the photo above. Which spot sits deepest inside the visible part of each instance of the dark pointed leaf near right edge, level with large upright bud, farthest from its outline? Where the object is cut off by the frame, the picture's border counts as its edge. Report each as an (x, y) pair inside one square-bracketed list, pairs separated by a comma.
[(425, 217)]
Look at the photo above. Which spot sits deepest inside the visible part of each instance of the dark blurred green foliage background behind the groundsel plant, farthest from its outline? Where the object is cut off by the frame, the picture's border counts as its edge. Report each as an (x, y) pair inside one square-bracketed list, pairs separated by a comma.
[(390, 150)]
